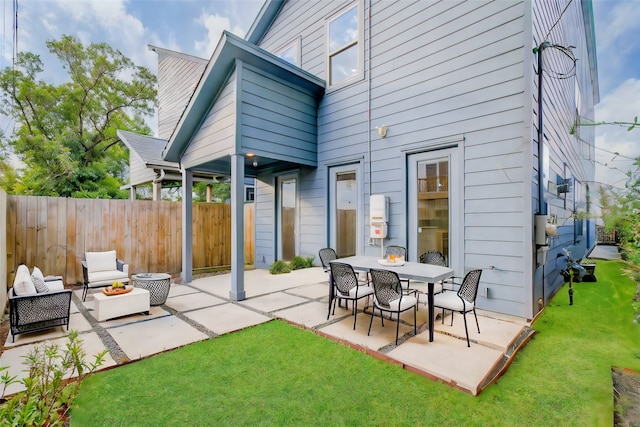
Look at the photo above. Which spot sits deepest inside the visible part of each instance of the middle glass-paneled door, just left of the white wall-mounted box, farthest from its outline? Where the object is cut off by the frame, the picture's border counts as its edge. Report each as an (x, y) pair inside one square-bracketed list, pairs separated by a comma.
[(344, 202)]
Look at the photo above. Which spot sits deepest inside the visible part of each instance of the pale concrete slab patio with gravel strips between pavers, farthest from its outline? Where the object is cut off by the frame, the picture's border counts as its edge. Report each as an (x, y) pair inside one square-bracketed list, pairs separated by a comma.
[(201, 310)]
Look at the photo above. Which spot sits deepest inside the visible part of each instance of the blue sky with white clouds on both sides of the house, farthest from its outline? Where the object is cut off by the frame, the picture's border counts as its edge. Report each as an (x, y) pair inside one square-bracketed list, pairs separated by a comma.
[(194, 27)]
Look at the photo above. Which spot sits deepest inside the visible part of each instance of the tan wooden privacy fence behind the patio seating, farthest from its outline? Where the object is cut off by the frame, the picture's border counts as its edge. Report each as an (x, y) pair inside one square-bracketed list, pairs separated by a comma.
[(54, 233)]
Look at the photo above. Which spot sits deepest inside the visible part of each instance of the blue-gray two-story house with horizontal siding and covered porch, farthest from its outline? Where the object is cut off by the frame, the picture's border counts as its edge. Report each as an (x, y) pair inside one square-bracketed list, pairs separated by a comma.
[(464, 115)]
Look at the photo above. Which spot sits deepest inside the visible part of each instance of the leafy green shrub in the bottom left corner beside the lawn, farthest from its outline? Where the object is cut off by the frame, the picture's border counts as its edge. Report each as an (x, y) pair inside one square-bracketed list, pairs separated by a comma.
[(53, 384)]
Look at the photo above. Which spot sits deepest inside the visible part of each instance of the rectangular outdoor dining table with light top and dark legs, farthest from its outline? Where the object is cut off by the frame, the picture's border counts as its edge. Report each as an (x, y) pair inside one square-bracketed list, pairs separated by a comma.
[(409, 270)]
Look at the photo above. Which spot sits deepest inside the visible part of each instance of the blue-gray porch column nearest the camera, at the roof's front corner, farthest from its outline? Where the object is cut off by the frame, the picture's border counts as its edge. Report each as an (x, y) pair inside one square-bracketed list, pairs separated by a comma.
[(237, 228)]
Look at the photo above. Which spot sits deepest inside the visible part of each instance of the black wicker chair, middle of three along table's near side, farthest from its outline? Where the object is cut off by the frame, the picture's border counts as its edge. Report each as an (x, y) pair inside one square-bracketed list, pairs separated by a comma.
[(389, 296)]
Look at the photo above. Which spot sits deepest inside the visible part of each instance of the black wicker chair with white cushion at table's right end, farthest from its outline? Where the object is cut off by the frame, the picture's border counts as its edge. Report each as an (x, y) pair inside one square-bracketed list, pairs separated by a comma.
[(462, 301)]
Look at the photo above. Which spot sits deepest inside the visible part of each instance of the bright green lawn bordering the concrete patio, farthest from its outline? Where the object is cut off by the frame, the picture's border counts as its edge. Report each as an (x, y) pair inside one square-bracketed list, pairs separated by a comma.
[(277, 374)]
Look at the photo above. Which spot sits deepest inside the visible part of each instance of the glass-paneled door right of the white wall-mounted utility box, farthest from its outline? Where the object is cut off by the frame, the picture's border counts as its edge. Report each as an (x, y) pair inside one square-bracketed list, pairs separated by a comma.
[(431, 187)]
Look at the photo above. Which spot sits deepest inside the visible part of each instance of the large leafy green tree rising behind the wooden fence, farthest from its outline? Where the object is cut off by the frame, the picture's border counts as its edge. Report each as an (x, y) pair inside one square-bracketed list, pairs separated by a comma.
[(66, 134)]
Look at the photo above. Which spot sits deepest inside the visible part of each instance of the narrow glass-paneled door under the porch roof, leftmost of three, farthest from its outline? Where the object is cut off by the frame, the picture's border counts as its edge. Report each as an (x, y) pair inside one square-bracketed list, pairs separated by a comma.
[(288, 218)]
